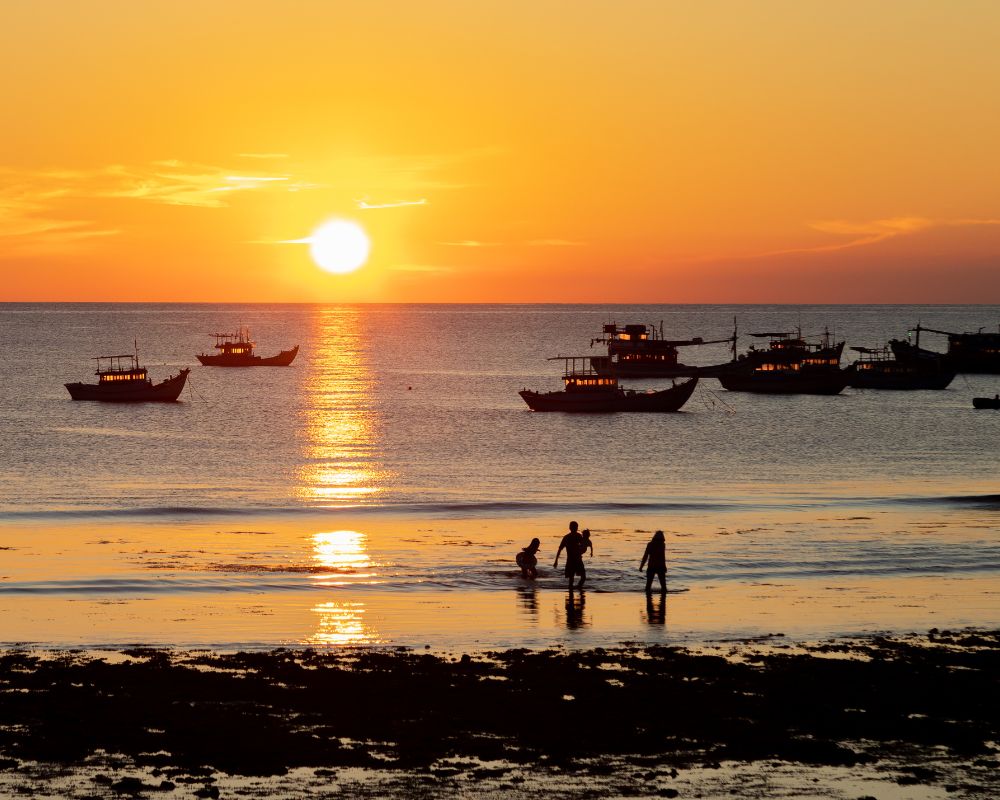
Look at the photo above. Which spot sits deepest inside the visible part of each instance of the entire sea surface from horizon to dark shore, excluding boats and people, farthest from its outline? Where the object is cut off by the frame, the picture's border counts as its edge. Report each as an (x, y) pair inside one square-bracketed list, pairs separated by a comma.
[(376, 491)]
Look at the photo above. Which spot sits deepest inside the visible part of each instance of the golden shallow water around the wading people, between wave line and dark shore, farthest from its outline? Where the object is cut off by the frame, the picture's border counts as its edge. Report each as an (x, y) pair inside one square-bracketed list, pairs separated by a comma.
[(350, 579)]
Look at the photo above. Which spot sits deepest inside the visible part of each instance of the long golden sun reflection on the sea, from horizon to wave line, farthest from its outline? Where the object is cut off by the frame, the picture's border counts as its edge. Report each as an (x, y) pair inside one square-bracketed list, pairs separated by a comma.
[(341, 439)]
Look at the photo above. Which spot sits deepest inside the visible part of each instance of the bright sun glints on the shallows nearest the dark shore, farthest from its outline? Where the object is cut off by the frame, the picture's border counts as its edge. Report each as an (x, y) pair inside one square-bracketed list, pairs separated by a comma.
[(343, 557)]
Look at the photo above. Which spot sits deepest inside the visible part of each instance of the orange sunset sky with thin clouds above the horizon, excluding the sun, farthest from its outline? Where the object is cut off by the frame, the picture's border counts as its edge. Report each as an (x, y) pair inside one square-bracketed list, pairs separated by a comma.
[(502, 151)]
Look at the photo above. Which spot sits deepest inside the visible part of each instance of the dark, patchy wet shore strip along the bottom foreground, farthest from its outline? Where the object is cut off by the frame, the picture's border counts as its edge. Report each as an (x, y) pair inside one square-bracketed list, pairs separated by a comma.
[(900, 717)]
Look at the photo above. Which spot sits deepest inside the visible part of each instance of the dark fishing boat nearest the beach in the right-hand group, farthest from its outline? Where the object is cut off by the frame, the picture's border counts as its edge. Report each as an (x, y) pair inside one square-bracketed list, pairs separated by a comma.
[(587, 390)]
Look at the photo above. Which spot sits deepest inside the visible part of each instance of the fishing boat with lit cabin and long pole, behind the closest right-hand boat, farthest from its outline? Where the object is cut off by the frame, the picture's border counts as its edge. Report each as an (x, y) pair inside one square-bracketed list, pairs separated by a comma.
[(640, 351)]
